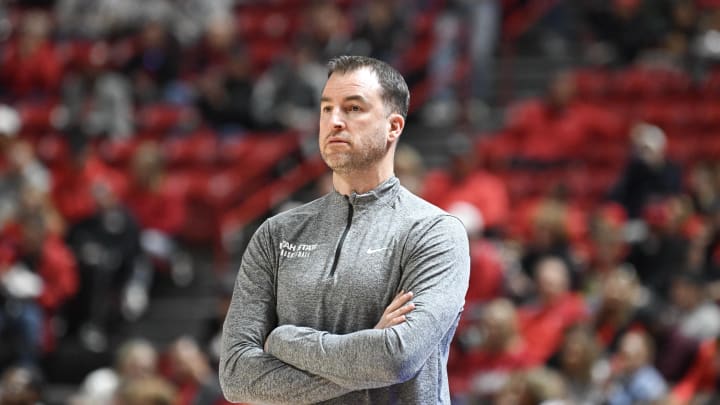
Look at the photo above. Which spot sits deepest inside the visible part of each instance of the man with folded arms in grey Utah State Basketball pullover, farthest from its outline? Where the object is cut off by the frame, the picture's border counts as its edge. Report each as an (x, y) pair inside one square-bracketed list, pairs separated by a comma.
[(321, 309)]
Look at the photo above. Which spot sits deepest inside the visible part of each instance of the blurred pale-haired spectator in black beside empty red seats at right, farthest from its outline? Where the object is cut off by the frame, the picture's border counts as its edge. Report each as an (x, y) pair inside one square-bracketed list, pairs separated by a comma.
[(649, 175)]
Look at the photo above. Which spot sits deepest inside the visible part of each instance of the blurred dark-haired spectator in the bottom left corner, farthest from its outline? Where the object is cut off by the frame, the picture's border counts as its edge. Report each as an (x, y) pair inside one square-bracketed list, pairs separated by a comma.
[(21, 386)]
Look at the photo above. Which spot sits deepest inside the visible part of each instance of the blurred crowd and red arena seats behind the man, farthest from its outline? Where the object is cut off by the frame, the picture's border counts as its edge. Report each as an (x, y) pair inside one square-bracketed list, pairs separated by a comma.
[(142, 143)]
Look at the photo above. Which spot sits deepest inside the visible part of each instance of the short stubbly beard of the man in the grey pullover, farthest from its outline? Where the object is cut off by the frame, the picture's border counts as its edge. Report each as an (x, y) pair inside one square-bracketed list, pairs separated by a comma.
[(355, 159)]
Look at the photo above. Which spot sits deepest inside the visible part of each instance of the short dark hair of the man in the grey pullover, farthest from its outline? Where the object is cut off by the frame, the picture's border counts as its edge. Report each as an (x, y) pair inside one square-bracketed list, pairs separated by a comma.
[(395, 92)]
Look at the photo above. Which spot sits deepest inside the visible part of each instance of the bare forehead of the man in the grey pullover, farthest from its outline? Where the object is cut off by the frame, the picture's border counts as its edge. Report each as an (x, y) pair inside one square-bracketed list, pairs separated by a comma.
[(361, 82)]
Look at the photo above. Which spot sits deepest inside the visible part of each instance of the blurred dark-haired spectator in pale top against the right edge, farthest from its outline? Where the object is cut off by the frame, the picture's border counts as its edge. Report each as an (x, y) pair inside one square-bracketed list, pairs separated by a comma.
[(696, 316)]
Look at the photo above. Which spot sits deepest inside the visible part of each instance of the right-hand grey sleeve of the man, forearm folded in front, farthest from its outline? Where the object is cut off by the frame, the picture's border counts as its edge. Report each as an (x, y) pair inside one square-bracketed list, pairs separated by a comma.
[(436, 270)]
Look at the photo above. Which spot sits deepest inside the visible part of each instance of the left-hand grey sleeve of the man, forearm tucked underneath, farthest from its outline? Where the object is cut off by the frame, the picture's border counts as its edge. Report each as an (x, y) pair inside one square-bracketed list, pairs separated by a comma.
[(247, 373)]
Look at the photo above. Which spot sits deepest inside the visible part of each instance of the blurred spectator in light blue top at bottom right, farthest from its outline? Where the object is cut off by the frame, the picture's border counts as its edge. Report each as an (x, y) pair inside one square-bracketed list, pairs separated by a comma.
[(634, 379)]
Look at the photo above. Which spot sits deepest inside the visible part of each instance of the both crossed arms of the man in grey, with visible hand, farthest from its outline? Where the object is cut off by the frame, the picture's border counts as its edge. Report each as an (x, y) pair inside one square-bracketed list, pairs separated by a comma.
[(304, 365)]
